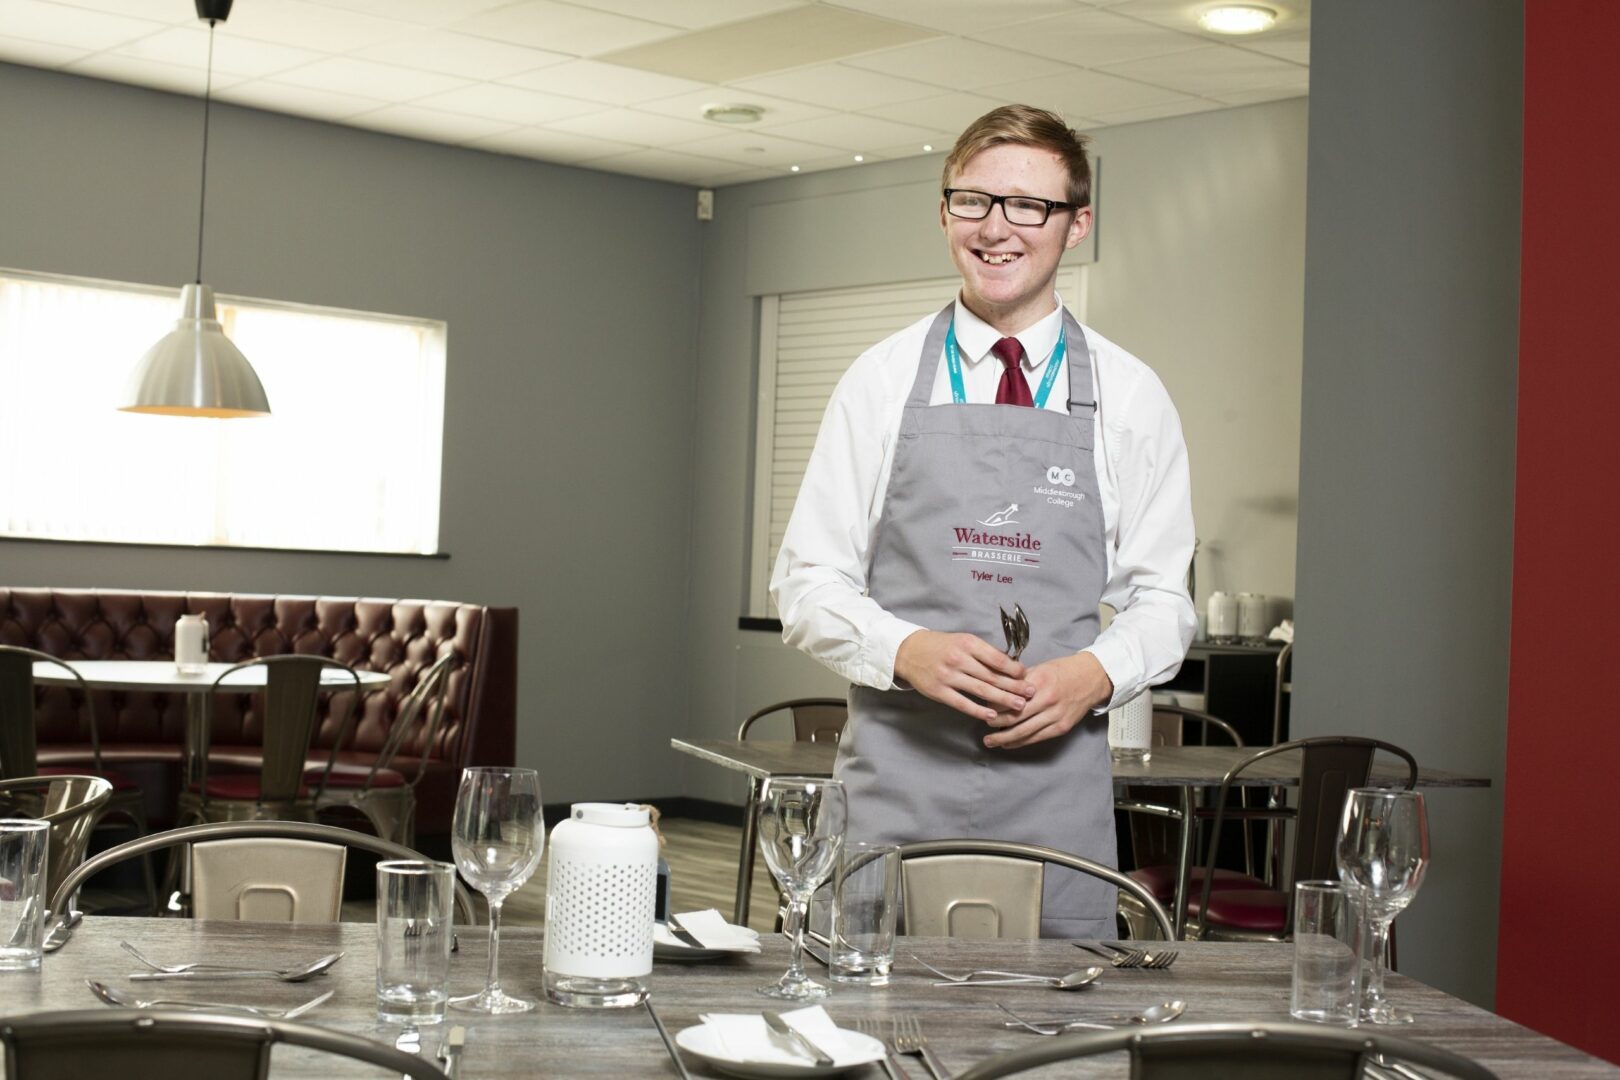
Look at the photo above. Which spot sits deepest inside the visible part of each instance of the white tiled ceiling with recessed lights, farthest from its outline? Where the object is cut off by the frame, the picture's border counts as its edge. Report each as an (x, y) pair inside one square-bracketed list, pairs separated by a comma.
[(621, 85)]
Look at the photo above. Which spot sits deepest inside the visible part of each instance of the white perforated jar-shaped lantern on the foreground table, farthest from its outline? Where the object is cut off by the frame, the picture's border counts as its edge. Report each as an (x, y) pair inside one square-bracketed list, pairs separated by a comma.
[(600, 896)]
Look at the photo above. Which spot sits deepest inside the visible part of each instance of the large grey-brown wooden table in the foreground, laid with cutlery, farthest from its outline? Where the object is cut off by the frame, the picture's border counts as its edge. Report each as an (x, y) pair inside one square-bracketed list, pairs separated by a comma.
[(1219, 982)]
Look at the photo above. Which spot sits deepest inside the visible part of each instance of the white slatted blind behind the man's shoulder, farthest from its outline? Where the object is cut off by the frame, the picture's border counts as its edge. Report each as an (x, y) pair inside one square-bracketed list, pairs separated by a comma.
[(808, 341)]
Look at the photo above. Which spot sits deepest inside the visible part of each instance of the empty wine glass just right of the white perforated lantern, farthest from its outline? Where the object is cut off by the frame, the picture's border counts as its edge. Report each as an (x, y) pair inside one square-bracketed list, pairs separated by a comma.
[(801, 828)]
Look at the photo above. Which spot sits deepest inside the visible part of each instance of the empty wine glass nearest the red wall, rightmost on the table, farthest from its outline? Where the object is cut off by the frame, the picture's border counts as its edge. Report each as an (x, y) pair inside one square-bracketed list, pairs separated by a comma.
[(1383, 848)]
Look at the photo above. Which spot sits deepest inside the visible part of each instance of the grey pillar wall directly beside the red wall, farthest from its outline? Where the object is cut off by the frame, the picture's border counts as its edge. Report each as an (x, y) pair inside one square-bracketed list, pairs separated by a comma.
[(1409, 414)]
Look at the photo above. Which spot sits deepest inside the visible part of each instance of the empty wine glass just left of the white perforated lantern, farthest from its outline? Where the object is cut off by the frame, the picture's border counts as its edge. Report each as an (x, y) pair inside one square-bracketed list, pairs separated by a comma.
[(498, 836)]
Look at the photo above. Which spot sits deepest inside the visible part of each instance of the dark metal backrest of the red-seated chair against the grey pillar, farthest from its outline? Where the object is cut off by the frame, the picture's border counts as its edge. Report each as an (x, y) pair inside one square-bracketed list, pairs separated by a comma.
[(1329, 768)]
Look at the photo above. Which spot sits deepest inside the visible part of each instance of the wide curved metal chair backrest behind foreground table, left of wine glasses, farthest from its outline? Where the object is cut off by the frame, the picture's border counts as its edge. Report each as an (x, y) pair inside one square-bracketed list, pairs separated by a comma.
[(252, 831)]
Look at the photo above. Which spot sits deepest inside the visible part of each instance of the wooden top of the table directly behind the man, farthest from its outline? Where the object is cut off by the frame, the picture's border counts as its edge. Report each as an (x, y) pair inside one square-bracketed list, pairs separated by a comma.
[(1167, 767)]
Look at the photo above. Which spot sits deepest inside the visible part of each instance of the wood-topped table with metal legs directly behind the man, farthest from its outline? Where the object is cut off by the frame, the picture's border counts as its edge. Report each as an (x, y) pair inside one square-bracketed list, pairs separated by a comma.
[(1188, 770)]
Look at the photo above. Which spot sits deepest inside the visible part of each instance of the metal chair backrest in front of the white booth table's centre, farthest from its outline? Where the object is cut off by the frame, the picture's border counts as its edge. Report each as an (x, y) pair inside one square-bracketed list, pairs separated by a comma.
[(292, 687)]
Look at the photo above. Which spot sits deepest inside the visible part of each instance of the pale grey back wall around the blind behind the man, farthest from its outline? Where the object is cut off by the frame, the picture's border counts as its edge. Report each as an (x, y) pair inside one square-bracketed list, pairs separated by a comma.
[(1200, 268)]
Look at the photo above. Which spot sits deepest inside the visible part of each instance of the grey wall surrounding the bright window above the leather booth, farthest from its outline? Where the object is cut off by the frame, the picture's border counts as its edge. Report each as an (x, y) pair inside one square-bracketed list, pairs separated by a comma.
[(571, 300)]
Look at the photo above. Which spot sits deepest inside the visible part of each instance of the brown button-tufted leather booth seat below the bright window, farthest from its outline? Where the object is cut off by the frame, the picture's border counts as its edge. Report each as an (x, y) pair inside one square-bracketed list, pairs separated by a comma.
[(396, 637)]
